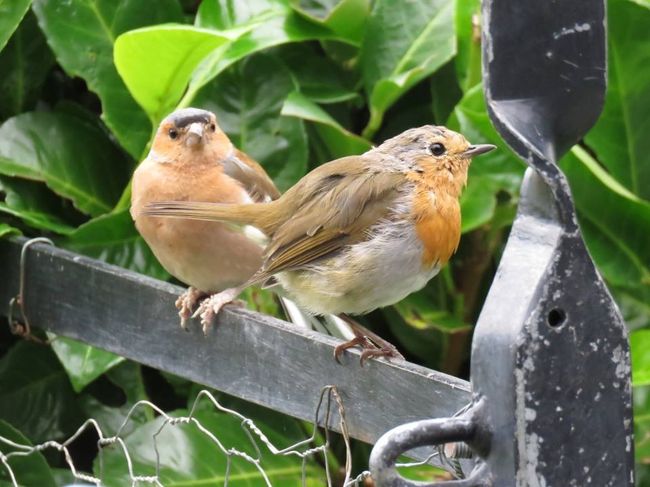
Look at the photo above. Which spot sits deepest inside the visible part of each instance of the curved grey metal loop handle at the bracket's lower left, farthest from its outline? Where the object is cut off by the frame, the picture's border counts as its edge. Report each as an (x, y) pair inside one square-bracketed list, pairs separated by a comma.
[(412, 435)]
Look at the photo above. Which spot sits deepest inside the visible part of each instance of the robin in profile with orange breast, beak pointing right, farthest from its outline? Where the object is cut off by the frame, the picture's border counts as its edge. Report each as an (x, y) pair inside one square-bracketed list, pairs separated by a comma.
[(357, 233)]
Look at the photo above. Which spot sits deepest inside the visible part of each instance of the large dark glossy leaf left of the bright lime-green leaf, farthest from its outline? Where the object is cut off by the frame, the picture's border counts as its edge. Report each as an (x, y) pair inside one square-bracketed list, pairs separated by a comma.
[(82, 33)]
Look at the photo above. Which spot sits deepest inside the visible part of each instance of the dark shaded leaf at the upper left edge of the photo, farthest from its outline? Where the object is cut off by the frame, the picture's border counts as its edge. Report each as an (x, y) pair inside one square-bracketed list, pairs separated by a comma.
[(22, 77)]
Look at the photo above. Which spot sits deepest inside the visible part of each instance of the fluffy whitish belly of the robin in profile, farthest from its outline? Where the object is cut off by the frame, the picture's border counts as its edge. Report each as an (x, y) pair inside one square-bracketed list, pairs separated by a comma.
[(378, 272)]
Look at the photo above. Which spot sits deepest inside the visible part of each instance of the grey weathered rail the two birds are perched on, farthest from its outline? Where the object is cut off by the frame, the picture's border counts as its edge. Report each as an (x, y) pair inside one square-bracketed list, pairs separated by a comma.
[(246, 354)]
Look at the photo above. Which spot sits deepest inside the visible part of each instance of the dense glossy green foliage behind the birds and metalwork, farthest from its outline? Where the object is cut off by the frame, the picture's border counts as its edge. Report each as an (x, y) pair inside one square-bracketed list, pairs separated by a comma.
[(294, 83)]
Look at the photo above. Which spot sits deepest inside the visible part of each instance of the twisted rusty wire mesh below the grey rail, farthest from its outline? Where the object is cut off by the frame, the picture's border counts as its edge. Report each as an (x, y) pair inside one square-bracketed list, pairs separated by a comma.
[(329, 400)]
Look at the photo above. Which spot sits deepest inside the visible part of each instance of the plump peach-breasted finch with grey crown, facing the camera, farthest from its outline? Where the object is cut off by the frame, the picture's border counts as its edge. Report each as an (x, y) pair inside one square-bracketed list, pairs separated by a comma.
[(192, 159)]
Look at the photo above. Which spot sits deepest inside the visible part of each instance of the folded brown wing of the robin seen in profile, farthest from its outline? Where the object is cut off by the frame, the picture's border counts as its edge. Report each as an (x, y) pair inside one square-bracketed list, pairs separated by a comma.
[(341, 210)]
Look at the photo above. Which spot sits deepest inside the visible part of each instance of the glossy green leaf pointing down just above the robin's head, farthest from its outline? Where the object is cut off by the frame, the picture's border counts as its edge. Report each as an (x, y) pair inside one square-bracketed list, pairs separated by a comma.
[(405, 42)]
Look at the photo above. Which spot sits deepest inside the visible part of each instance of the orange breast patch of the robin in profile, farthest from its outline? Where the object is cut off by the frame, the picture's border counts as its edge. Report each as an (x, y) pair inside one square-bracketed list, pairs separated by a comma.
[(437, 221)]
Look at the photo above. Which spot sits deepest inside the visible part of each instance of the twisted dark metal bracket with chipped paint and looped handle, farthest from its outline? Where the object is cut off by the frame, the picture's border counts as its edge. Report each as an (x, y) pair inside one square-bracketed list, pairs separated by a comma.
[(550, 356)]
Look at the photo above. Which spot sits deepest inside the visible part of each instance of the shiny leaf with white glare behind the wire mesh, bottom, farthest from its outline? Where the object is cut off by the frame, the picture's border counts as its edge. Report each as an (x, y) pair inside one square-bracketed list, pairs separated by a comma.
[(189, 457)]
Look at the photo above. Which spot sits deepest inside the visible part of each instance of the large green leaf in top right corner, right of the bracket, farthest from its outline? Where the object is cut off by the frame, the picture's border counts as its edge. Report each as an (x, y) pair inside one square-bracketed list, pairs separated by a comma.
[(620, 137)]
